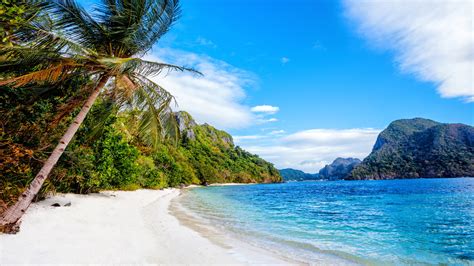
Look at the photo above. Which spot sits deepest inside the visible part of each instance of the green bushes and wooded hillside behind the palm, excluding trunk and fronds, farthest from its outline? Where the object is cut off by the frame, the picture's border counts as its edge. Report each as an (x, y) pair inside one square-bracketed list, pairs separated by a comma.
[(108, 153)]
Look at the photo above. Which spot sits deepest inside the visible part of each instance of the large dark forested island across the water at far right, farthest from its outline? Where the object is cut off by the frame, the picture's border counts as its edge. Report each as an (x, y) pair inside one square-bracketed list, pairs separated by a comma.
[(414, 148)]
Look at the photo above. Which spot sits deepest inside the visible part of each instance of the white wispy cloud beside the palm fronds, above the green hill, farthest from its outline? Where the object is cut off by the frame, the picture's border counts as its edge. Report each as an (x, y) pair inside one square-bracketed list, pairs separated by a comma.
[(216, 97)]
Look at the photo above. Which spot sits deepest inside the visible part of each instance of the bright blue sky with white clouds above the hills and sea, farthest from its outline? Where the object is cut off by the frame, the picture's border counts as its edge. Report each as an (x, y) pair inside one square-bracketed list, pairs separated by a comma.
[(325, 76)]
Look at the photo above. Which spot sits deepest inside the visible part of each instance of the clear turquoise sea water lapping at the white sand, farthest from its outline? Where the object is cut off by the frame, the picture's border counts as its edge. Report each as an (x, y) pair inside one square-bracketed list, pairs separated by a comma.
[(416, 221)]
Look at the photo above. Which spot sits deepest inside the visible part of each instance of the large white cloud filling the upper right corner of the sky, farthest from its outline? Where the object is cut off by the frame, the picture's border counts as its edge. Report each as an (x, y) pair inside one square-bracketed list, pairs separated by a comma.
[(432, 39)]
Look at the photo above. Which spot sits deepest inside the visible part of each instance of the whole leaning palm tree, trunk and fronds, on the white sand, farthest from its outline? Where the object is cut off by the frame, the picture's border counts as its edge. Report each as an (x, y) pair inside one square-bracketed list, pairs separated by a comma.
[(104, 46)]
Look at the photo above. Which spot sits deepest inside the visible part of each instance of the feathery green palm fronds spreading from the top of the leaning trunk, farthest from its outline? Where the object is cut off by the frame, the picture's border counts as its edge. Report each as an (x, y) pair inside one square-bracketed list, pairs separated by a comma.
[(65, 41)]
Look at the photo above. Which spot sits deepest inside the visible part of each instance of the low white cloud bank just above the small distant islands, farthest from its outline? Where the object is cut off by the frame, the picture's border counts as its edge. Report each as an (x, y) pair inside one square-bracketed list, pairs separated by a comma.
[(310, 150)]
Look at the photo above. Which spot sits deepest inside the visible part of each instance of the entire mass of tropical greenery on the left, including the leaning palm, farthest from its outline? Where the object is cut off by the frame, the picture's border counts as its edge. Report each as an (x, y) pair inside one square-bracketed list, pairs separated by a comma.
[(60, 63)]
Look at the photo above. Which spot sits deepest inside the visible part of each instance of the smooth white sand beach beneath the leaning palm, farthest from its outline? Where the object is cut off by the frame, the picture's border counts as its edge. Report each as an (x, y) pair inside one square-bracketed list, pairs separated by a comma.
[(119, 228)]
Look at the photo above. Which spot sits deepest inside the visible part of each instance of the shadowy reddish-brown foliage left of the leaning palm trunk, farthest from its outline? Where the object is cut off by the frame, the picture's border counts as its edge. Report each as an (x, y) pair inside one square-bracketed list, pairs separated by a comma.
[(27, 130)]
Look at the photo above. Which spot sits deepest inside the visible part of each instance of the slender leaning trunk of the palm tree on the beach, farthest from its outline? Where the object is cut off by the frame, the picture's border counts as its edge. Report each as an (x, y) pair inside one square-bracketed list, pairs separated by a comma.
[(10, 220)]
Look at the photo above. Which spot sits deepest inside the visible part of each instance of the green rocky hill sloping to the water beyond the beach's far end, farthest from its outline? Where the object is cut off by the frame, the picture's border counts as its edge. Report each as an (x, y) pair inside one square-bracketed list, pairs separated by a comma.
[(213, 157)]
